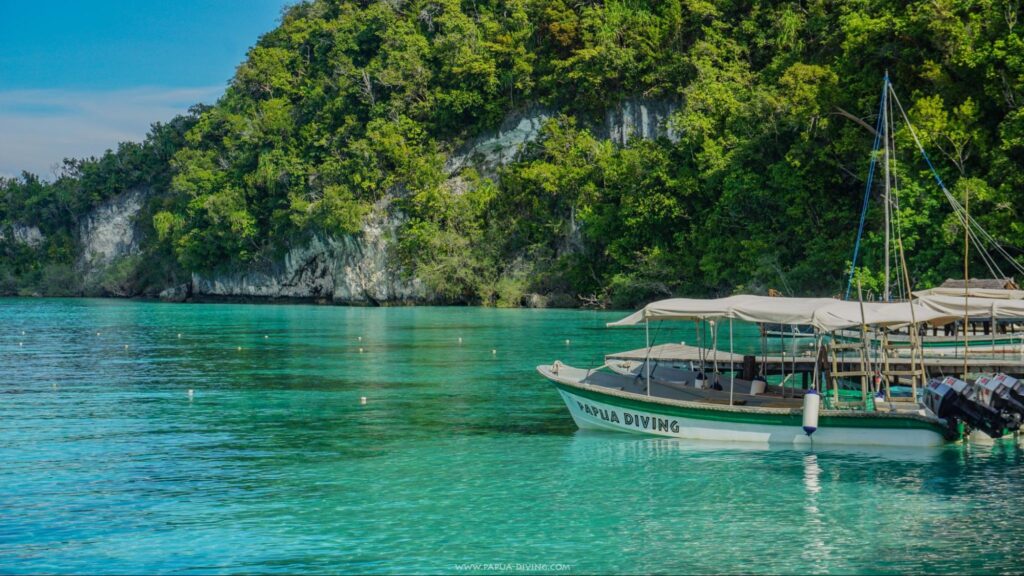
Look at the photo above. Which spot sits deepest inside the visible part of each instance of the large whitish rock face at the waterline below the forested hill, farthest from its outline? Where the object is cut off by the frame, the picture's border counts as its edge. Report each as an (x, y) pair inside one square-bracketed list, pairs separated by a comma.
[(353, 270)]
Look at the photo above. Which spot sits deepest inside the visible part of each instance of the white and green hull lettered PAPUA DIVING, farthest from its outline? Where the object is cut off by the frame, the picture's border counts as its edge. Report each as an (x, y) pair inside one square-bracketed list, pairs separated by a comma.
[(594, 409)]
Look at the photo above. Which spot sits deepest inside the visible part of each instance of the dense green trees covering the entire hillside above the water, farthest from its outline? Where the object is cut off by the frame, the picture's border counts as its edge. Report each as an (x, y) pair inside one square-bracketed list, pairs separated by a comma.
[(349, 107)]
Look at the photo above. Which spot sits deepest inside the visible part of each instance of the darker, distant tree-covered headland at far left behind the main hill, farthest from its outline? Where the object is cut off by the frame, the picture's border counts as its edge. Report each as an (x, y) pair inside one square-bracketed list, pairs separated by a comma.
[(57, 208)]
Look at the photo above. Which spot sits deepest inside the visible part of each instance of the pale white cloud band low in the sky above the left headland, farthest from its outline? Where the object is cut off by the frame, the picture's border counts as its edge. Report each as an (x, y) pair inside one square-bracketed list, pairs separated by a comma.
[(38, 129)]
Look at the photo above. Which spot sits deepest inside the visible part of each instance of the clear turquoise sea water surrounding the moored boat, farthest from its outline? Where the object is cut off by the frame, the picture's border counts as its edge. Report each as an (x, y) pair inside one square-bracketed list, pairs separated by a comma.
[(460, 457)]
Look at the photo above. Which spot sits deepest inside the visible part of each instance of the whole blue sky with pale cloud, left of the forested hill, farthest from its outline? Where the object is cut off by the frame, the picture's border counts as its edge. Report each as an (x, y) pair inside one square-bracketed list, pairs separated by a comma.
[(78, 76)]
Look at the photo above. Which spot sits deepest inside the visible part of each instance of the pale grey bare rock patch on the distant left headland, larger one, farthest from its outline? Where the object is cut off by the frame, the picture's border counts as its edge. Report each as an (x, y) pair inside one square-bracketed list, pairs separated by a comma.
[(110, 232)]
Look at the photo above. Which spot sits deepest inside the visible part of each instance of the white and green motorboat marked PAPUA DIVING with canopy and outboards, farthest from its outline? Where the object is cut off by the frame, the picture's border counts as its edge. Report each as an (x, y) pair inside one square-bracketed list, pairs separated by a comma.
[(676, 399)]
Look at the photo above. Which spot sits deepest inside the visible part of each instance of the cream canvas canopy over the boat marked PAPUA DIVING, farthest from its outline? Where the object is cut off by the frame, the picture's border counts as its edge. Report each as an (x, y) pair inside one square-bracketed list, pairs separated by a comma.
[(825, 314)]
